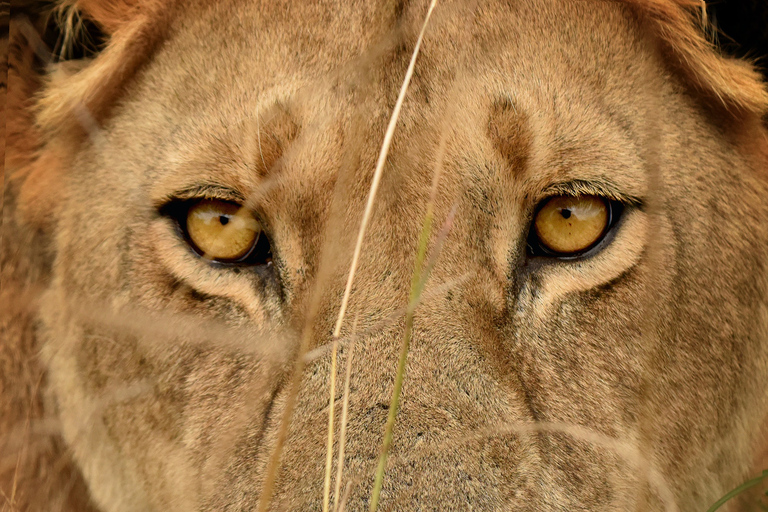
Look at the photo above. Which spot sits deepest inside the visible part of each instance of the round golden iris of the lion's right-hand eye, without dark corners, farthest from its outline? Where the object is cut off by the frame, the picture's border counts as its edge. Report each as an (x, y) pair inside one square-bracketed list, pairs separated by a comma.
[(569, 225)]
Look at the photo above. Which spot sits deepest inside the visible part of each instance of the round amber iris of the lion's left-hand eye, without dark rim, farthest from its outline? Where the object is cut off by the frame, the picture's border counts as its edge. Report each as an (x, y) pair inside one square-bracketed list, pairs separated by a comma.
[(221, 230)]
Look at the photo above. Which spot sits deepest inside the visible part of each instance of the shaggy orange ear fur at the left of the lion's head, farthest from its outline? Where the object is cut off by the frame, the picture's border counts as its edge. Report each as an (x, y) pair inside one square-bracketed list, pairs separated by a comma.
[(44, 117)]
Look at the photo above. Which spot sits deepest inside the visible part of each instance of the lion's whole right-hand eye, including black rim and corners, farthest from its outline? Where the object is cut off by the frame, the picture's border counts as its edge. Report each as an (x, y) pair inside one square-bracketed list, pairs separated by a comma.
[(571, 226)]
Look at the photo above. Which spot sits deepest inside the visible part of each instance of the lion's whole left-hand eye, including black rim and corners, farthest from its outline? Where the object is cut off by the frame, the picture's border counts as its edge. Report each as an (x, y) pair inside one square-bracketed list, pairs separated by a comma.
[(223, 232)]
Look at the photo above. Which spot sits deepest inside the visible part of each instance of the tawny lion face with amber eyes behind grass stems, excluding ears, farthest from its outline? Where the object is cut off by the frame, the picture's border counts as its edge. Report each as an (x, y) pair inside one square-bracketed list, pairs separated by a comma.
[(553, 364)]
